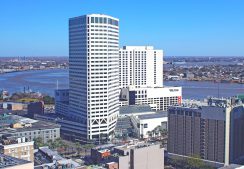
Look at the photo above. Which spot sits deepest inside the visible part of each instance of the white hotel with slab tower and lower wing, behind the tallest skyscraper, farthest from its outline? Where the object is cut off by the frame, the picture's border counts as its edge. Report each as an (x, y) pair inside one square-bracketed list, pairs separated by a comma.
[(141, 79)]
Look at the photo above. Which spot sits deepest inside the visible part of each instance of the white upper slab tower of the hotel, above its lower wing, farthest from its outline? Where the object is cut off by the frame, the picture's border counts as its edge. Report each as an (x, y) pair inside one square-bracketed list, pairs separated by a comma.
[(141, 66)]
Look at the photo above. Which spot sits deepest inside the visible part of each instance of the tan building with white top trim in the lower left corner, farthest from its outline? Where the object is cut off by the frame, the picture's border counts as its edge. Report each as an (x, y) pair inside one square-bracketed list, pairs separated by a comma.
[(18, 147)]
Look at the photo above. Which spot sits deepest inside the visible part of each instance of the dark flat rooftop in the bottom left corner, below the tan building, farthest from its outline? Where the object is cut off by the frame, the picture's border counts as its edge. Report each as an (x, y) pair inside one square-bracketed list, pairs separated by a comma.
[(11, 161)]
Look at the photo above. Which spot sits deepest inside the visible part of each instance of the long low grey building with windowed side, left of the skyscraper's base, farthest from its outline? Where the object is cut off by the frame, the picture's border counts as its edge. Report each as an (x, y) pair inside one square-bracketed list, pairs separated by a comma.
[(31, 129)]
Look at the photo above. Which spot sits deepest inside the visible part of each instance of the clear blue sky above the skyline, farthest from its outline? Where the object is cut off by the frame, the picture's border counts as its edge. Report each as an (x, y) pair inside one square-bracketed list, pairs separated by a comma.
[(179, 27)]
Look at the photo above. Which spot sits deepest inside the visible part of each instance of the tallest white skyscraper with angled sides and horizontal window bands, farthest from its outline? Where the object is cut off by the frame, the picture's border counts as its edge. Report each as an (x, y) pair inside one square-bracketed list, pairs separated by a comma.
[(94, 74)]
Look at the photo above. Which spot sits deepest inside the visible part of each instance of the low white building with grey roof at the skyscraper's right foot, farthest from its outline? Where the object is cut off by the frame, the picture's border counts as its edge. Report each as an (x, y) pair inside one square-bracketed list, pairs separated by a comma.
[(140, 121)]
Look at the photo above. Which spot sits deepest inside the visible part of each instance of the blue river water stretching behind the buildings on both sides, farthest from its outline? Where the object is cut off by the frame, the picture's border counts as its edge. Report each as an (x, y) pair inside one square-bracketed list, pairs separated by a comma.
[(45, 81)]
